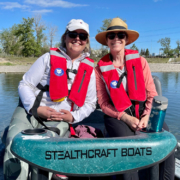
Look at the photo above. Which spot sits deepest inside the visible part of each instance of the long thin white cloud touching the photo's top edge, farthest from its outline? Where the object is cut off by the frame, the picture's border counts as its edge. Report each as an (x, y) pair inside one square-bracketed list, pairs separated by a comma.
[(53, 3)]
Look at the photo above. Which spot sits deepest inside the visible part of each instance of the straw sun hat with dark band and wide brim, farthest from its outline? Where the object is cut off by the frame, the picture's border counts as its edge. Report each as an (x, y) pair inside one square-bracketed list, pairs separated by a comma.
[(117, 25)]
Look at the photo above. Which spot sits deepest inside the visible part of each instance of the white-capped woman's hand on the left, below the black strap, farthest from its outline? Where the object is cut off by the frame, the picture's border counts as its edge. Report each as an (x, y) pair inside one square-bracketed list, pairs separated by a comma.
[(46, 112)]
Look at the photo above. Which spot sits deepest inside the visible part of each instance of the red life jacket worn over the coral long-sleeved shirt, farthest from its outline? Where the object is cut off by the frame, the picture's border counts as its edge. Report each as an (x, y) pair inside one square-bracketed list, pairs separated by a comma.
[(135, 81)]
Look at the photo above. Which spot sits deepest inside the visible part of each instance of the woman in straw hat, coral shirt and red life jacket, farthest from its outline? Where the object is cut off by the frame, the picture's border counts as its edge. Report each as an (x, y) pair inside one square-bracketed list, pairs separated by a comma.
[(125, 87)]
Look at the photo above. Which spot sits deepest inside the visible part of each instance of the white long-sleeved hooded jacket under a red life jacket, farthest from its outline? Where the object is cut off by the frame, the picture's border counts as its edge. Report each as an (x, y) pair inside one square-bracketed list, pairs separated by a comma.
[(40, 73)]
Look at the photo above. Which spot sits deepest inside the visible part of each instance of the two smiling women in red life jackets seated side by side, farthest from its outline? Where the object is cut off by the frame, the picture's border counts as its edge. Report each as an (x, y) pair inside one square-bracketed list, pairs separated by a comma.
[(56, 95)]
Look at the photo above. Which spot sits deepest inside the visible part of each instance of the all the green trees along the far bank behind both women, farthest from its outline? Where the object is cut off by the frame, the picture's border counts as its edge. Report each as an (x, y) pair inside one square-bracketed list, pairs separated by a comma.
[(29, 39)]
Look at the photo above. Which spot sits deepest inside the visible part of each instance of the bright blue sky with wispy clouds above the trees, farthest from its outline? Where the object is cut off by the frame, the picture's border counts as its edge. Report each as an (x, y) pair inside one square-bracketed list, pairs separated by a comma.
[(153, 19)]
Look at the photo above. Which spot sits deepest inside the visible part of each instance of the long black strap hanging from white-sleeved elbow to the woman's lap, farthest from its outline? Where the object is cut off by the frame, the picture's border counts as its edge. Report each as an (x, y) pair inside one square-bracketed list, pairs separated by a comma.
[(36, 105)]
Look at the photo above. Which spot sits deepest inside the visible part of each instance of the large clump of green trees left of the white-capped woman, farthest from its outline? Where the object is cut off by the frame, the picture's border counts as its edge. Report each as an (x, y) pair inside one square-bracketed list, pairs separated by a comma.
[(28, 38)]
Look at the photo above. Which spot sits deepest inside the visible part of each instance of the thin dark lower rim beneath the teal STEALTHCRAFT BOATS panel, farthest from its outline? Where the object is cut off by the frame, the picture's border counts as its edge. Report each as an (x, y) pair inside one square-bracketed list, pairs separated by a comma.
[(93, 175)]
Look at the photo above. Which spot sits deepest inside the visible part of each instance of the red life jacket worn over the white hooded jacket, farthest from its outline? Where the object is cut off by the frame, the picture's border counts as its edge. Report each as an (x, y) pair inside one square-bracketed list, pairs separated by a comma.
[(58, 86)]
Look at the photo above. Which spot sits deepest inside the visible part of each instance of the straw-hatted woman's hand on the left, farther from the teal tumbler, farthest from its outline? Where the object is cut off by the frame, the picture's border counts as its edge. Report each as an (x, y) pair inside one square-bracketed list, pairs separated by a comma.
[(133, 122)]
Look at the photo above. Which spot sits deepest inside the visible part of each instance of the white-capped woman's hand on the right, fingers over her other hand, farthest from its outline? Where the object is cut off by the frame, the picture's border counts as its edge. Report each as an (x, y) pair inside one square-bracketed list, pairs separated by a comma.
[(64, 115)]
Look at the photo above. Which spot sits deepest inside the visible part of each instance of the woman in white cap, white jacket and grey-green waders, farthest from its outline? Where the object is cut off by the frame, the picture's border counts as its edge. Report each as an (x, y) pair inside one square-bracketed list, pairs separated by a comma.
[(59, 86)]
